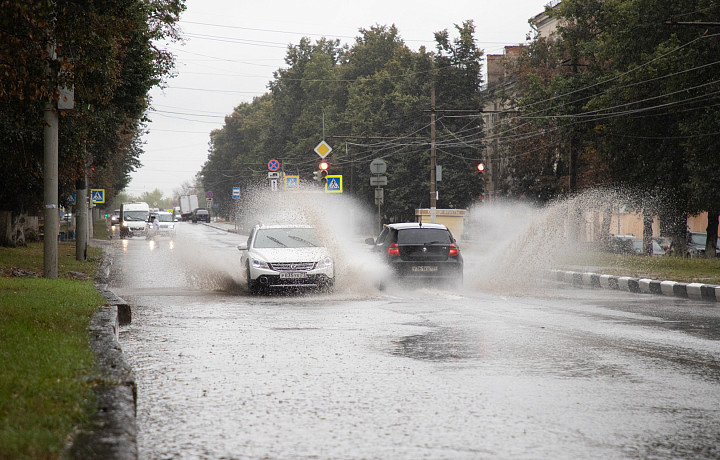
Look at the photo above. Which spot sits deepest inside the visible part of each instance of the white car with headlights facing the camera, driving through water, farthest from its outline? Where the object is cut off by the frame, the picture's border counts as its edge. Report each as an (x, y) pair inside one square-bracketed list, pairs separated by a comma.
[(286, 257)]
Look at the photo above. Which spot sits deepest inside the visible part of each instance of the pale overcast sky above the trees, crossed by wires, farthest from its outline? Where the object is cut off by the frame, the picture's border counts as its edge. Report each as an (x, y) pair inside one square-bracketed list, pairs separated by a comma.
[(232, 47)]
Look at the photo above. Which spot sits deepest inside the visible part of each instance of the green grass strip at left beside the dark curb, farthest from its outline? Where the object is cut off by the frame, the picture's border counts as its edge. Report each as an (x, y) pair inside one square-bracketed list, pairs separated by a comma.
[(46, 364)]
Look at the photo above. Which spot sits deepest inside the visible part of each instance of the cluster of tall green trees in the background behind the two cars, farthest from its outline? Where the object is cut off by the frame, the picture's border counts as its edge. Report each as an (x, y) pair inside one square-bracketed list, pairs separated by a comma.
[(376, 88)]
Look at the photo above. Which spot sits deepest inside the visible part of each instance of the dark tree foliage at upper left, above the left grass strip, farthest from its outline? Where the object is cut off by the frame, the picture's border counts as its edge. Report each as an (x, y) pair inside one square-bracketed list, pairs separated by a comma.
[(106, 52)]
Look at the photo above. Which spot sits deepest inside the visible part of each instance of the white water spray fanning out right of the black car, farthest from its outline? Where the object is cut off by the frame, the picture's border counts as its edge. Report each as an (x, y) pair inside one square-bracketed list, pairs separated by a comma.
[(512, 245)]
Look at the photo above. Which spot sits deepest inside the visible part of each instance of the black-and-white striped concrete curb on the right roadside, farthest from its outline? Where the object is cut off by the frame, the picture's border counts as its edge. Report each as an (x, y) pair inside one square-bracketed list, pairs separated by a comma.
[(697, 291)]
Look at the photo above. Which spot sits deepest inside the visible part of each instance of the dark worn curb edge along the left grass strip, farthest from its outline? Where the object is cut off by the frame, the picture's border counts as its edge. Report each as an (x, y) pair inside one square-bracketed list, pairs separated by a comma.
[(112, 433)]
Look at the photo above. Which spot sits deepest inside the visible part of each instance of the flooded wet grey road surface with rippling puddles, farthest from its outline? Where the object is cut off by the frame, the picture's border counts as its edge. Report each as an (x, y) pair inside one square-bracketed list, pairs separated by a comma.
[(417, 373)]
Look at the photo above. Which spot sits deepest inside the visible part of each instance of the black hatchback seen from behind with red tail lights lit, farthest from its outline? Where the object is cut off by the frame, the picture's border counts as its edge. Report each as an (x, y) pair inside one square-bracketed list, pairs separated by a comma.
[(420, 251)]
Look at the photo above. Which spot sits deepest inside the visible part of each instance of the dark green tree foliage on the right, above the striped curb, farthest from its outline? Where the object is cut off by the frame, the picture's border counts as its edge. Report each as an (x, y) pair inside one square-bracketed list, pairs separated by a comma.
[(629, 94)]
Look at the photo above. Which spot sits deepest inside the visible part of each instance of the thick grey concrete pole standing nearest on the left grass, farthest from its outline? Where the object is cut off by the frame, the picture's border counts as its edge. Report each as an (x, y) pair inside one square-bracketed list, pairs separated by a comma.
[(50, 173)]
